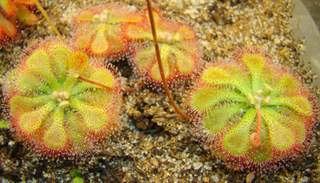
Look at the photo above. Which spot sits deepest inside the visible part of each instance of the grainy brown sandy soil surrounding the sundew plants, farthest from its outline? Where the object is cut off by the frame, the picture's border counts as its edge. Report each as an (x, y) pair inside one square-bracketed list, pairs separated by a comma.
[(154, 145)]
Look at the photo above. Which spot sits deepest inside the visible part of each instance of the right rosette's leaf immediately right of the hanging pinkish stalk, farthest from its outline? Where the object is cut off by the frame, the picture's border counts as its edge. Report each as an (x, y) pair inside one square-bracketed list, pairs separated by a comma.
[(282, 138)]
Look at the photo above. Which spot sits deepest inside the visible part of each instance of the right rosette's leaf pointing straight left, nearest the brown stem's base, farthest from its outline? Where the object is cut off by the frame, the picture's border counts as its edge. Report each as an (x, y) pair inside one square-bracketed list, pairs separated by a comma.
[(204, 98)]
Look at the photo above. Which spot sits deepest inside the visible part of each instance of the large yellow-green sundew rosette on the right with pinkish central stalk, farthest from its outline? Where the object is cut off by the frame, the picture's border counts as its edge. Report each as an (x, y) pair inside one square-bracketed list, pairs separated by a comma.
[(254, 113)]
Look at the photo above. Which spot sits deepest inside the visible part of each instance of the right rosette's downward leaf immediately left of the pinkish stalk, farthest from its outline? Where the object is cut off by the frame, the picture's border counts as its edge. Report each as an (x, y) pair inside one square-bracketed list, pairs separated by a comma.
[(237, 140)]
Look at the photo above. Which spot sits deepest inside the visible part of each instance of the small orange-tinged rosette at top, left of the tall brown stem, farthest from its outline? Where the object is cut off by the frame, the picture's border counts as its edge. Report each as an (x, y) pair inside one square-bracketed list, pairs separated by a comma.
[(99, 29)]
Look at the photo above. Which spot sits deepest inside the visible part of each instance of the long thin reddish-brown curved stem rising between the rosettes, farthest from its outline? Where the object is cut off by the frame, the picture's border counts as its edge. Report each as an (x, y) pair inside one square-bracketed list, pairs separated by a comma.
[(157, 50)]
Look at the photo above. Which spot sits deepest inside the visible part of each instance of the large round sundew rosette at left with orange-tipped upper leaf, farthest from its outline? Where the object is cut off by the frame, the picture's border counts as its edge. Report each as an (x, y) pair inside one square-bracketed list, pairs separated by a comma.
[(55, 111)]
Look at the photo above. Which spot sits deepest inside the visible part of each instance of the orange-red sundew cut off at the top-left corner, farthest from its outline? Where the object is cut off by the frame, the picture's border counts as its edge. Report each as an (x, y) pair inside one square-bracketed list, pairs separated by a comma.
[(13, 10)]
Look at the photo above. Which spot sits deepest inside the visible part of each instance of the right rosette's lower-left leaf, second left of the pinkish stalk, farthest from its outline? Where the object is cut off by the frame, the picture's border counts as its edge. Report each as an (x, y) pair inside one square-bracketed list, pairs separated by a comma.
[(216, 119)]
